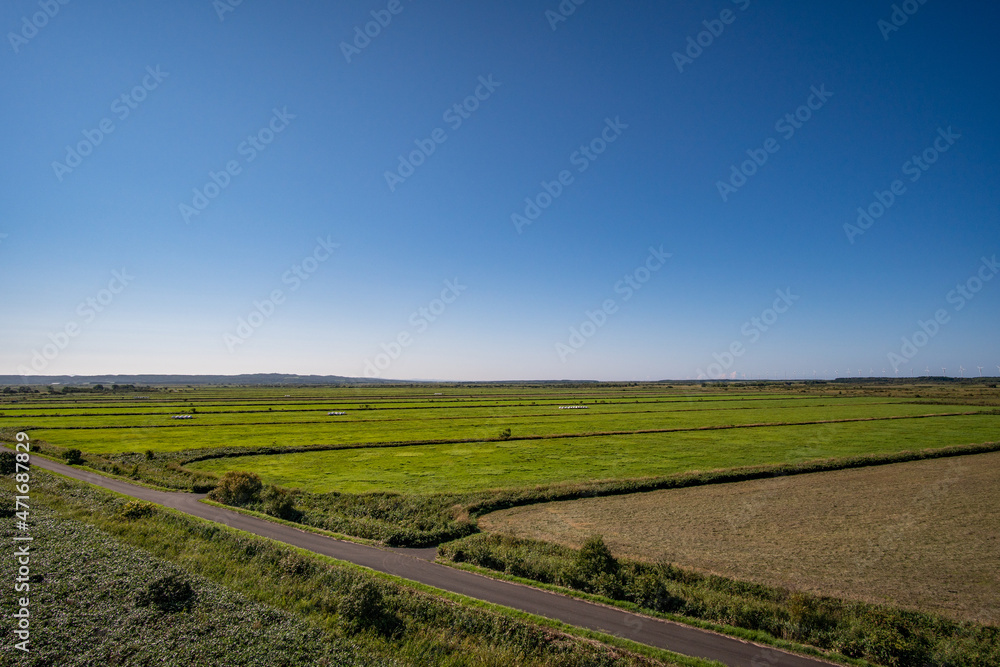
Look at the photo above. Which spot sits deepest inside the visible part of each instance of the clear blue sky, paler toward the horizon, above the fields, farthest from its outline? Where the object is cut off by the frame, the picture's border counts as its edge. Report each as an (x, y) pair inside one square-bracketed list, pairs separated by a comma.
[(278, 72)]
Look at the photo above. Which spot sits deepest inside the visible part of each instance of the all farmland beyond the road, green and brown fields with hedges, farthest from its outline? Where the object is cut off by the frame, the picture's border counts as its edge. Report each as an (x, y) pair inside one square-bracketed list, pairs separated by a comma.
[(820, 512)]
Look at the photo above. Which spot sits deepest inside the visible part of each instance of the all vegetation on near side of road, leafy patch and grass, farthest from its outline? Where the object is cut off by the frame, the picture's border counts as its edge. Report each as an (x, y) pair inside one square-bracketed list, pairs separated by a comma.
[(257, 600)]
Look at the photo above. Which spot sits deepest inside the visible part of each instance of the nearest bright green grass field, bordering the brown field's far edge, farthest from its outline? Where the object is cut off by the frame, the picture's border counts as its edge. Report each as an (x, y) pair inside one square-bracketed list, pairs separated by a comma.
[(460, 468)]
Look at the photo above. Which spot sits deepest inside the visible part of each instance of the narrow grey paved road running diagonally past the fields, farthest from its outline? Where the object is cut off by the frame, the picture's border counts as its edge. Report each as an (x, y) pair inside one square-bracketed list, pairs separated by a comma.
[(412, 564)]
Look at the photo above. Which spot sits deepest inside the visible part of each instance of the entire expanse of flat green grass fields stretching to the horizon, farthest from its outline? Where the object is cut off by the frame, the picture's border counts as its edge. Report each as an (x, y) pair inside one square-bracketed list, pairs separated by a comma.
[(452, 435)]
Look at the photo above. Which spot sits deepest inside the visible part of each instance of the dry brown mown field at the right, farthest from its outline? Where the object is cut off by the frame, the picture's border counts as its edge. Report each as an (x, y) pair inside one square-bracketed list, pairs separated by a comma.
[(923, 535)]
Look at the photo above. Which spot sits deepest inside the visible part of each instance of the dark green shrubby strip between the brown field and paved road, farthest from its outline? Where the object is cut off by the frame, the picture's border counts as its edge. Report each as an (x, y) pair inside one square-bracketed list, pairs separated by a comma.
[(880, 634)]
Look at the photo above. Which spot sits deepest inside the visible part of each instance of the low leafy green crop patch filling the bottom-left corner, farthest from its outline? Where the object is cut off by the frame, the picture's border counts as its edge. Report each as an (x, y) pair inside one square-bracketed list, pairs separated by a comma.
[(86, 610)]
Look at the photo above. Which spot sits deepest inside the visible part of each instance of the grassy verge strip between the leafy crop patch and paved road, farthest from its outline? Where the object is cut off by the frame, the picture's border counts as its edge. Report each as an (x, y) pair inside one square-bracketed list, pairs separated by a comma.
[(380, 619)]
